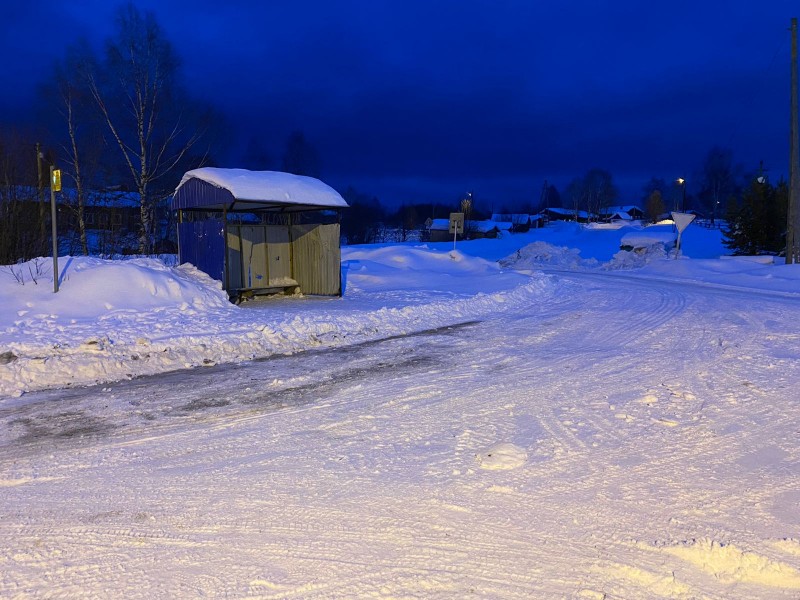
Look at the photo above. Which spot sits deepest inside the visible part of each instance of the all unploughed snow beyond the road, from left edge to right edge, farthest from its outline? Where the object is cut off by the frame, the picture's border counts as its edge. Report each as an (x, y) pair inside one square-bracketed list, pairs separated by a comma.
[(119, 319)]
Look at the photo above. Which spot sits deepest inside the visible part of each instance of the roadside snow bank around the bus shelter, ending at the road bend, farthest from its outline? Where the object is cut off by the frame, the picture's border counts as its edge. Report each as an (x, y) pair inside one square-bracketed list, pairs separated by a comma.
[(115, 320)]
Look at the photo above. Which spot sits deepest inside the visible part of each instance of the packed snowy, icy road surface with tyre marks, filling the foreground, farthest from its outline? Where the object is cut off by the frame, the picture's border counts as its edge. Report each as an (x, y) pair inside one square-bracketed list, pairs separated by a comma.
[(627, 439)]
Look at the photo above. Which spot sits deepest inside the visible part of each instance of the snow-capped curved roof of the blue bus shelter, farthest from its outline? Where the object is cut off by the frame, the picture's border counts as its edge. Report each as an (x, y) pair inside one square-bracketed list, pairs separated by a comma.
[(214, 188)]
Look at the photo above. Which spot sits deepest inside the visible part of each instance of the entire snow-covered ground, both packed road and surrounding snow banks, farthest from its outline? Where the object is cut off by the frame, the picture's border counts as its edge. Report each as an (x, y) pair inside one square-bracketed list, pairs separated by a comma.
[(538, 416)]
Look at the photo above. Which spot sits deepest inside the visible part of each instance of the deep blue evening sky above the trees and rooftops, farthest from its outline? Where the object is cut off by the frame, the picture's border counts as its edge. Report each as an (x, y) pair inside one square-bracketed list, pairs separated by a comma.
[(423, 100)]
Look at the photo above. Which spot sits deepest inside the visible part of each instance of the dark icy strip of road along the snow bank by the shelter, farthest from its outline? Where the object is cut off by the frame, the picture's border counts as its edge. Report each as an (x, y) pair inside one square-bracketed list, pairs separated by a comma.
[(70, 419)]
